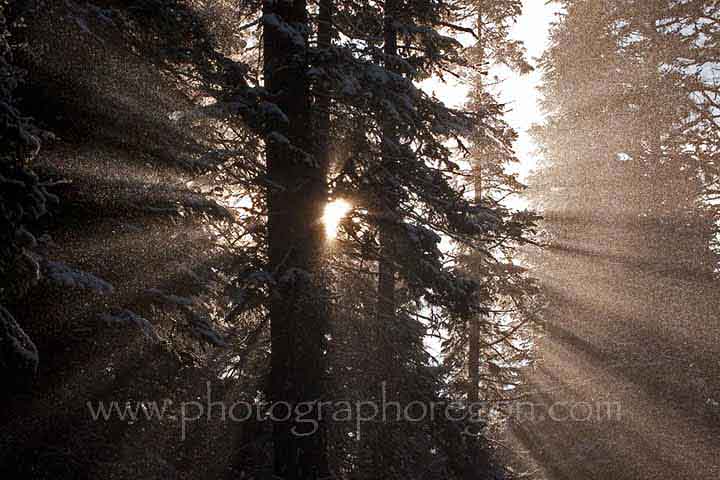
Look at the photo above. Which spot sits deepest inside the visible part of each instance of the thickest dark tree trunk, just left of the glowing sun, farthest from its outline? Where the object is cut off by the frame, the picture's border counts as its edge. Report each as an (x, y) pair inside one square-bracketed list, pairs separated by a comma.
[(295, 198)]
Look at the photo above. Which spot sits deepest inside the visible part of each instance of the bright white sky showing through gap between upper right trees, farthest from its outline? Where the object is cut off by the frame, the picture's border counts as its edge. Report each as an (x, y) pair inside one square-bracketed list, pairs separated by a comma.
[(517, 92)]
